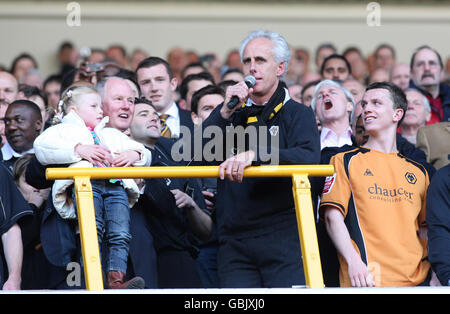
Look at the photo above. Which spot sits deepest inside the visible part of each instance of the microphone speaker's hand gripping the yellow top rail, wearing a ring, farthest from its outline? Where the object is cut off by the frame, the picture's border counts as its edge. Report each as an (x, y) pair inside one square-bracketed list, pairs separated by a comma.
[(233, 167)]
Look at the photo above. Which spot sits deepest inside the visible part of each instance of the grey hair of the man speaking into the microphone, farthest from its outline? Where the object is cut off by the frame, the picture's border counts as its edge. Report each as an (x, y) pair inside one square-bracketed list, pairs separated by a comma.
[(281, 52)]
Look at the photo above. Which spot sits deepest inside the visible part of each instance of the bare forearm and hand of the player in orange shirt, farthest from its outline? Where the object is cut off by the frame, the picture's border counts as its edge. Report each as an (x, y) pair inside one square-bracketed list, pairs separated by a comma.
[(358, 272)]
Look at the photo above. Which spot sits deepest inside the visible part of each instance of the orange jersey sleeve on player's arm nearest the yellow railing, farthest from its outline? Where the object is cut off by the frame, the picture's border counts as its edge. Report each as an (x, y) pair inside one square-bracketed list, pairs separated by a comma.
[(336, 191)]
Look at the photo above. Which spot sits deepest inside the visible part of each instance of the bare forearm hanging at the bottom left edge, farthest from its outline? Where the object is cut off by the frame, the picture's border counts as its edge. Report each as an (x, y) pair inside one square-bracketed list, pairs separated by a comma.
[(13, 249)]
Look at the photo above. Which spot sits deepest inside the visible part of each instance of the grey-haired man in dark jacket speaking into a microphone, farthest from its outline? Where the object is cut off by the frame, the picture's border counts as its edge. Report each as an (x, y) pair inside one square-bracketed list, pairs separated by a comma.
[(257, 228)]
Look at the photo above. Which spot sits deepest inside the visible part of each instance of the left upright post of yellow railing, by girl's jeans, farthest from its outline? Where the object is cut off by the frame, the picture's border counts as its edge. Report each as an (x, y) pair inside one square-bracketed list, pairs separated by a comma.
[(88, 233)]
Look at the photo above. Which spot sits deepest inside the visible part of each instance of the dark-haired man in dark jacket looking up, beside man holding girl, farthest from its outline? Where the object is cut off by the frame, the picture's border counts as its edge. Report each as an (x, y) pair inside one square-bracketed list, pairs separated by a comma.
[(171, 206)]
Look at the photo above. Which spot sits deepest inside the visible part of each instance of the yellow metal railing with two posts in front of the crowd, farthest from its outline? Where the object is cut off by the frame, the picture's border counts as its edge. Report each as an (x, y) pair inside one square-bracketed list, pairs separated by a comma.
[(86, 214)]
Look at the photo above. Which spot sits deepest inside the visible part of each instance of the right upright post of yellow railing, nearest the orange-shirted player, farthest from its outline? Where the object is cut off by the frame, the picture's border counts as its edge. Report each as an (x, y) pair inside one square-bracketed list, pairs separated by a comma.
[(301, 189)]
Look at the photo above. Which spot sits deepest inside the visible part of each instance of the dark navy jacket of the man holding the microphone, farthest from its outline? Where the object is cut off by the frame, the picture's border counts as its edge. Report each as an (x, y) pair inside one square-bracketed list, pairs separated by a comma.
[(259, 206)]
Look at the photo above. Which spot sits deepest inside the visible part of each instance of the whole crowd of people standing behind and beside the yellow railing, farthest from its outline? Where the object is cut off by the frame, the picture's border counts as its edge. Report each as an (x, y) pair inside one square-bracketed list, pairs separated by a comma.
[(383, 218)]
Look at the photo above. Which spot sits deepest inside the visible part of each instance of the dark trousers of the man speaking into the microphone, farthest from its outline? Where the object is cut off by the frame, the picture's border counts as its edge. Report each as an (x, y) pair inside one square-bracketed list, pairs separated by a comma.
[(270, 260)]
